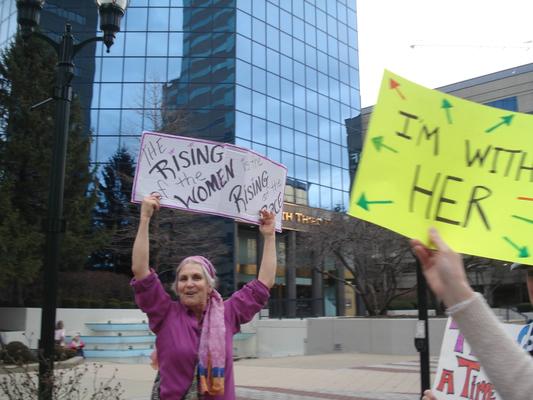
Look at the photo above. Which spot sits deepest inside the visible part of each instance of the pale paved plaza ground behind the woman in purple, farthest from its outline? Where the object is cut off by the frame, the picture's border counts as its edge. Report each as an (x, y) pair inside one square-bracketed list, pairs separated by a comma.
[(339, 376)]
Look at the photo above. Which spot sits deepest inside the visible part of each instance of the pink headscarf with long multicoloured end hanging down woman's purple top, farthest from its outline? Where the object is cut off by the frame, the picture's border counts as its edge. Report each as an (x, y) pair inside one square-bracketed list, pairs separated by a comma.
[(212, 350)]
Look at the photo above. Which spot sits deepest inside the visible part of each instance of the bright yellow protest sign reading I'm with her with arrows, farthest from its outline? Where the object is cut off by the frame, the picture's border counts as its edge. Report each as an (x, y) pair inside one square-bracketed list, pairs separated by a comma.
[(432, 159)]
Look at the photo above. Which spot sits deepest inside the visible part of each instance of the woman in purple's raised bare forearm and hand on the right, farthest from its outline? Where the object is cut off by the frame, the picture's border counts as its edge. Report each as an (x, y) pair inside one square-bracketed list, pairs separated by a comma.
[(267, 270)]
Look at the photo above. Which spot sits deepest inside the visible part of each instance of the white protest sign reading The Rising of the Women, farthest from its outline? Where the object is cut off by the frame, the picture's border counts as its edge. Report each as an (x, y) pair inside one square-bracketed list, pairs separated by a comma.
[(208, 177)]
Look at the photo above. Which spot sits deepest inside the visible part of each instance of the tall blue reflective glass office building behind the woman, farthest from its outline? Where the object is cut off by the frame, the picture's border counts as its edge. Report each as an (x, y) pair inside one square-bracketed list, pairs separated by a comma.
[(277, 76)]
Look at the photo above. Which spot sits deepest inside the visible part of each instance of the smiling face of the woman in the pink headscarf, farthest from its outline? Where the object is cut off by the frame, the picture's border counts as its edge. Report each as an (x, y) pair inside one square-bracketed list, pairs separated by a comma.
[(192, 287)]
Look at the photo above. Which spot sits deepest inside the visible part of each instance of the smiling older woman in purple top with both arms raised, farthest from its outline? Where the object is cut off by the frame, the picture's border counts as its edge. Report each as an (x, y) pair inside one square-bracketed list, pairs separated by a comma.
[(194, 334)]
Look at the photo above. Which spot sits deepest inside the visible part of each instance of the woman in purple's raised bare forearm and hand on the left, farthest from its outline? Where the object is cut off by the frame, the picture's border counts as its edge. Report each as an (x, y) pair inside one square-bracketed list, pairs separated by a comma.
[(141, 247)]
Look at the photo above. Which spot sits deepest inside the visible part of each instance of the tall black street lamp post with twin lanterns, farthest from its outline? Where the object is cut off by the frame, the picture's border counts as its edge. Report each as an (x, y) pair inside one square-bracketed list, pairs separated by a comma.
[(111, 12)]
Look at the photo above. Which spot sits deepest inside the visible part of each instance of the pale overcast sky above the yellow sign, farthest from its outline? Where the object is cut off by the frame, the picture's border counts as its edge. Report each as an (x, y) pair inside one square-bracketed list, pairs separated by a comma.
[(454, 40)]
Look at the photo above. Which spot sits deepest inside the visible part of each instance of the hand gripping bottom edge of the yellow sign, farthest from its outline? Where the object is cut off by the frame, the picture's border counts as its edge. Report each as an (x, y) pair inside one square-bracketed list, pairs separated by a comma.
[(443, 269)]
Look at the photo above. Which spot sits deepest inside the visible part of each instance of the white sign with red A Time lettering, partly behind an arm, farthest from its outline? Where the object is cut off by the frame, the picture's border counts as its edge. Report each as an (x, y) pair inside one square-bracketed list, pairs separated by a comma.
[(459, 374)]
